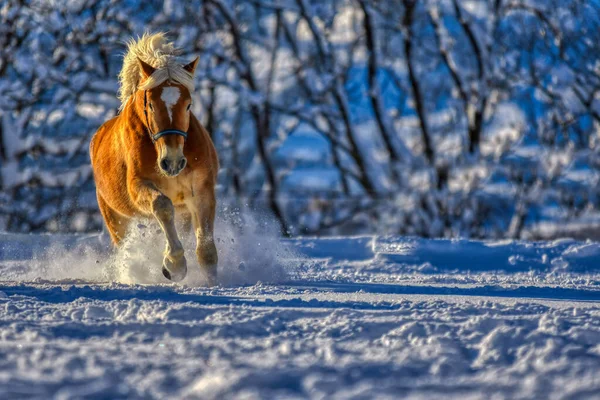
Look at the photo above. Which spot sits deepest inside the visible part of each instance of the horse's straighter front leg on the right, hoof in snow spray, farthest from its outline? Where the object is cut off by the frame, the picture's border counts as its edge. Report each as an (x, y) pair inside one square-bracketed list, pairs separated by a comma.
[(202, 210)]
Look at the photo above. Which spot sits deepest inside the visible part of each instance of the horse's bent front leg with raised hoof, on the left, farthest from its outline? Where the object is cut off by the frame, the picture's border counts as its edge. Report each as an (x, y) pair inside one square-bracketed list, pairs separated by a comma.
[(152, 201)]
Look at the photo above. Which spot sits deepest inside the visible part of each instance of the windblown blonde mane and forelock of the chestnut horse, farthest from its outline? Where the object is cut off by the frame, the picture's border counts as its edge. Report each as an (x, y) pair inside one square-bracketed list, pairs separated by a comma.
[(154, 50)]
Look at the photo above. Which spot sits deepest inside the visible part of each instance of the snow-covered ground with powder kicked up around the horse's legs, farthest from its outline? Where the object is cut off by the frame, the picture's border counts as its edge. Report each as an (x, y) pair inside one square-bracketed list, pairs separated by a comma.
[(345, 317)]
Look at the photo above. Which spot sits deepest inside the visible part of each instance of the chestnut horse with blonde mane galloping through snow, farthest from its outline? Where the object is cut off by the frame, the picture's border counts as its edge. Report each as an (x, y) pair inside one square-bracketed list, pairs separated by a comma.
[(155, 159)]
